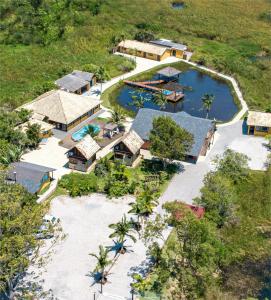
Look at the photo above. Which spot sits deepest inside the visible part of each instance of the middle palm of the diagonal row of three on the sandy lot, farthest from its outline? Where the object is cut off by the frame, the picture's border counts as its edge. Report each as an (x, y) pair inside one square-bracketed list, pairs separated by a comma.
[(122, 229)]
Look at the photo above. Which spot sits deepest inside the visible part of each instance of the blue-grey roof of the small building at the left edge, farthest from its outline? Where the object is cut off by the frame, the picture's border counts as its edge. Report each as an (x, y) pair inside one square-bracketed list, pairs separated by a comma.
[(28, 175)]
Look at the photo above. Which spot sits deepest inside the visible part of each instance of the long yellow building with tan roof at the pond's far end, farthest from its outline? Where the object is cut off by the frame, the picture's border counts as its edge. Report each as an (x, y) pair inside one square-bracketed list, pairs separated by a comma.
[(155, 50)]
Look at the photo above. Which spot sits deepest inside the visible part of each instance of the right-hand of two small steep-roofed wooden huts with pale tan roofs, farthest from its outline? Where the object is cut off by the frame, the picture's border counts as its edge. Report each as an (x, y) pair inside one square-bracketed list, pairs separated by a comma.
[(128, 148)]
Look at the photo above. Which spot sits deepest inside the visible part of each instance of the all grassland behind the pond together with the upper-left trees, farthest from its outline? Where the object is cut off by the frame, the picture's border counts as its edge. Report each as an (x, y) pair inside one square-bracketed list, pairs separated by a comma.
[(42, 40)]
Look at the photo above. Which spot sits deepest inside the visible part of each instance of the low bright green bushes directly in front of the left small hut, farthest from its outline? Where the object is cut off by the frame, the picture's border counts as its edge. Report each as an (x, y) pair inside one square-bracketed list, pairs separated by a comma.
[(79, 184)]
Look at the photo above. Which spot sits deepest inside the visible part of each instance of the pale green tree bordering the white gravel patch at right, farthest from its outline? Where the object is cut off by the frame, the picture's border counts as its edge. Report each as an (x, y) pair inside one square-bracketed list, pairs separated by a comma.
[(233, 165)]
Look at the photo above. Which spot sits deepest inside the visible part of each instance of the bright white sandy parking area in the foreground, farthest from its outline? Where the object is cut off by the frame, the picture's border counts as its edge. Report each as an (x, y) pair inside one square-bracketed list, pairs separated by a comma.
[(85, 221)]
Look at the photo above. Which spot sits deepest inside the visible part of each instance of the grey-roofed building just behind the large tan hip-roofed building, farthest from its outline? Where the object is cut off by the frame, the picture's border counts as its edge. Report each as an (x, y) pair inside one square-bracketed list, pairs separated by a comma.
[(77, 82)]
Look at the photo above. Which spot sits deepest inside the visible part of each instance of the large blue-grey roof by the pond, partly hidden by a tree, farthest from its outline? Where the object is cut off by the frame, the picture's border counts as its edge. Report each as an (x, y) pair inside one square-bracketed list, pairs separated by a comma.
[(197, 126)]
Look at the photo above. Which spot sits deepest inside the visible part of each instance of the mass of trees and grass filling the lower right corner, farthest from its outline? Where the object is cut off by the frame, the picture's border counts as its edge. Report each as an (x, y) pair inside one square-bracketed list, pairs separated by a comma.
[(226, 254)]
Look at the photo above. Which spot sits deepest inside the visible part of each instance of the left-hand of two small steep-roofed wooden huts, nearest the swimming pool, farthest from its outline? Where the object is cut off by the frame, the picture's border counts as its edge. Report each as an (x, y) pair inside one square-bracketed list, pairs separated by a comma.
[(83, 154)]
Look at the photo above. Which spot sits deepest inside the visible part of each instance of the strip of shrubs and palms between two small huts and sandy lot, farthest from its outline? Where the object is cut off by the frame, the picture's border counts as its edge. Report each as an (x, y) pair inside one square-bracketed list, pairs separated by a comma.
[(116, 180)]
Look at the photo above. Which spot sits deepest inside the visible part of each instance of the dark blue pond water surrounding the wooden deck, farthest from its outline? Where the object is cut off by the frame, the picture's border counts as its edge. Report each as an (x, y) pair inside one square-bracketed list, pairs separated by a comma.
[(223, 107)]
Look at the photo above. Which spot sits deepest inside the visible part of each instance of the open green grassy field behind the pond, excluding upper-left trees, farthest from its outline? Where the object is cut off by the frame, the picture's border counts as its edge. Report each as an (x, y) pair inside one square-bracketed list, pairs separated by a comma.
[(232, 36)]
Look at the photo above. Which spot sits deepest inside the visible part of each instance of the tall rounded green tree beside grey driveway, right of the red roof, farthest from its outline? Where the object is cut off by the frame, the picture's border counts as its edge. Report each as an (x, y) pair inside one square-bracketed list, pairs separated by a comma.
[(217, 197)]
